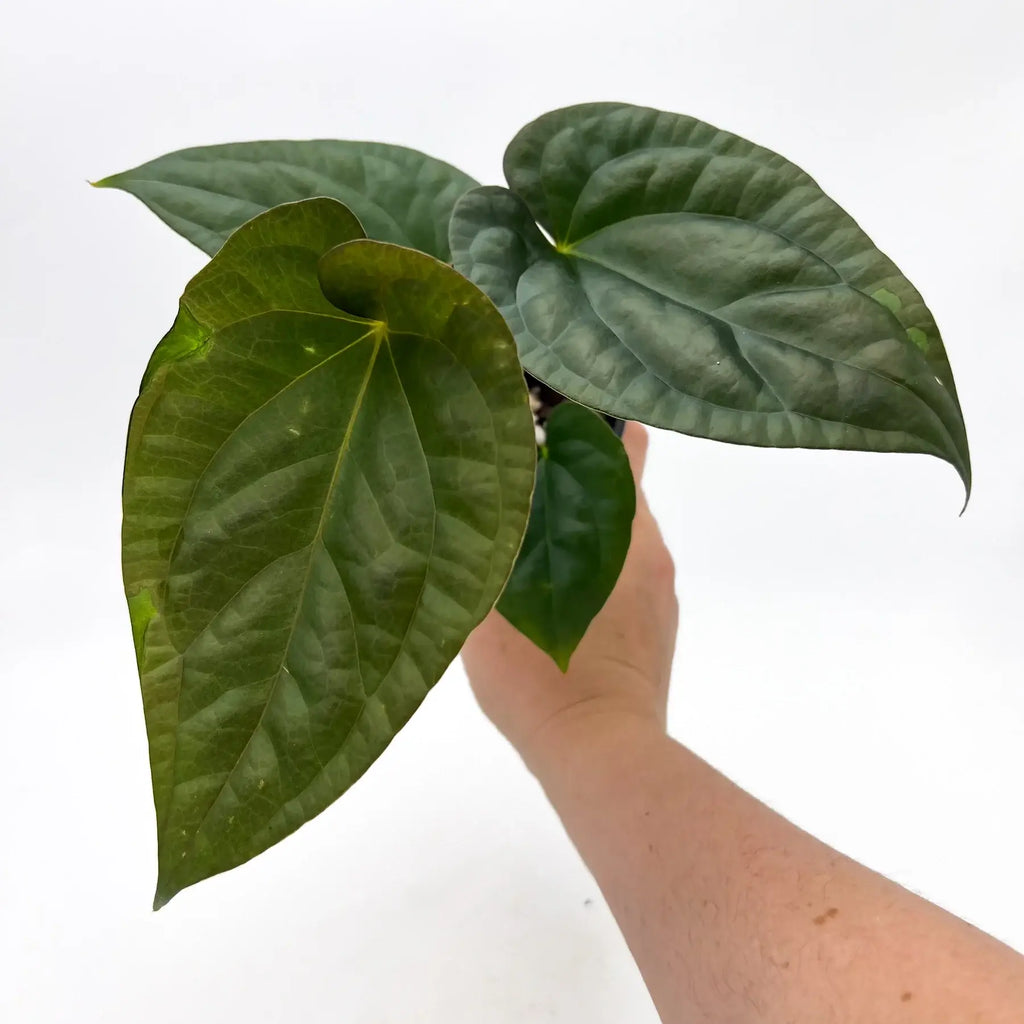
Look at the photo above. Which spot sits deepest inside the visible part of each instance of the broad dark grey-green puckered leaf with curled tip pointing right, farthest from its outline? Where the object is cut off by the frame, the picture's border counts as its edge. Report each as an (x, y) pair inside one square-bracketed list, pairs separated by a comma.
[(701, 283)]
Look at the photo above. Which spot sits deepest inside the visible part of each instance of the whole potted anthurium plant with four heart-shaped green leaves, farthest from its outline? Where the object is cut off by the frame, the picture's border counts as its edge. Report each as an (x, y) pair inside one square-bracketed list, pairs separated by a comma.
[(387, 407)]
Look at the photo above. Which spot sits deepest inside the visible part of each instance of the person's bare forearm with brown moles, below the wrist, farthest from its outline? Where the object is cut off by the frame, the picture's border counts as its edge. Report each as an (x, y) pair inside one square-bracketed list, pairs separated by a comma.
[(735, 915)]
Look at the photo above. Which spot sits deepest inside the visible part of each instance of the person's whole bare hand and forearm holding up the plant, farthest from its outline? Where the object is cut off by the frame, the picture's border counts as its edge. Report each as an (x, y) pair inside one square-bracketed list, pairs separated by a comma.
[(734, 915)]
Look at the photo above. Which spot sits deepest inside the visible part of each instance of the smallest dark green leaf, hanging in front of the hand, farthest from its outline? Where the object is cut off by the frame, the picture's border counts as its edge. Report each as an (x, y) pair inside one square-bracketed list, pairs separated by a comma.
[(578, 536)]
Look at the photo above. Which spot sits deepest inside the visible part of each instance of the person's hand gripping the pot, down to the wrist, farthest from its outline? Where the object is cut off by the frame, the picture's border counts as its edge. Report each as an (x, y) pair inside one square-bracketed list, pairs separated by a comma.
[(619, 674)]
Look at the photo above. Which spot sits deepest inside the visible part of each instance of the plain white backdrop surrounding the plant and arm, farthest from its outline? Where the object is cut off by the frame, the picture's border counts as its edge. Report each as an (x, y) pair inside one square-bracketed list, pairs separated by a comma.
[(851, 650)]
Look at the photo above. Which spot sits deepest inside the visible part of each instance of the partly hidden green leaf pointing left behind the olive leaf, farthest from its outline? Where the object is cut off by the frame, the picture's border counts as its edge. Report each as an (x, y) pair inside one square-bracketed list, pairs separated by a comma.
[(400, 195)]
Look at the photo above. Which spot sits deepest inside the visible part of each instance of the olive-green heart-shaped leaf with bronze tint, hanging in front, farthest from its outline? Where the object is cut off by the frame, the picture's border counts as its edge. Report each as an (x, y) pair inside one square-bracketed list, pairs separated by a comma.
[(318, 510)]
